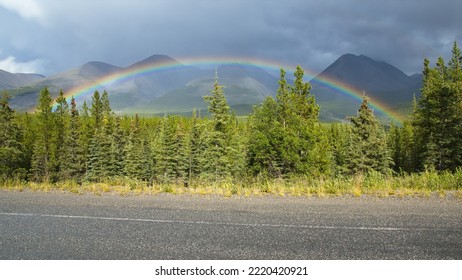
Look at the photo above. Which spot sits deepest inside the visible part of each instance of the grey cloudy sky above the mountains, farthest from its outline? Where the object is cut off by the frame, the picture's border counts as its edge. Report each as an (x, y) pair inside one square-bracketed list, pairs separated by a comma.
[(49, 36)]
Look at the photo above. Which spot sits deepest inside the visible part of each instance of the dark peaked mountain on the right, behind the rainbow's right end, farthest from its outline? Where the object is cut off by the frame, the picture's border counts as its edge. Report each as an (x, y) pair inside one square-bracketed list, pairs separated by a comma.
[(381, 81)]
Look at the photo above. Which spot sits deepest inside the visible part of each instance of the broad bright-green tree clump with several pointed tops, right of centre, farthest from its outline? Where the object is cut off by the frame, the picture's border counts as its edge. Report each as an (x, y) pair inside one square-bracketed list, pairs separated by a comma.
[(285, 135)]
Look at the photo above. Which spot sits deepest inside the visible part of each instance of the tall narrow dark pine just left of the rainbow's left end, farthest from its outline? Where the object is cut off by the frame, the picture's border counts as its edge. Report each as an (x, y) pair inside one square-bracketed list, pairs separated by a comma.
[(42, 156)]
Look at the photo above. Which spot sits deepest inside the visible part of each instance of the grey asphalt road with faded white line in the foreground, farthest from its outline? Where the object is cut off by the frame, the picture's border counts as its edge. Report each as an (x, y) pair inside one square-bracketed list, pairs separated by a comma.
[(70, 226)]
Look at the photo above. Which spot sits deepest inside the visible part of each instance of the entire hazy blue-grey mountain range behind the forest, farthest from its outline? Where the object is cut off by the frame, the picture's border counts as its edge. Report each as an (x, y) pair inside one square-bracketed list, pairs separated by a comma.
[(159, 84)]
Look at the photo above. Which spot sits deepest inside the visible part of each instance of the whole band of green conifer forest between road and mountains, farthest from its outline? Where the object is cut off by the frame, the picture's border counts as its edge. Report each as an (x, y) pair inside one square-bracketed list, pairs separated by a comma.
[(281, 146)]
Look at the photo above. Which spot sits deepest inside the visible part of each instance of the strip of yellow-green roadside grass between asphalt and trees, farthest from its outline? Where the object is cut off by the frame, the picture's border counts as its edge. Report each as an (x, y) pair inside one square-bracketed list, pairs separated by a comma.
[(425, 184)]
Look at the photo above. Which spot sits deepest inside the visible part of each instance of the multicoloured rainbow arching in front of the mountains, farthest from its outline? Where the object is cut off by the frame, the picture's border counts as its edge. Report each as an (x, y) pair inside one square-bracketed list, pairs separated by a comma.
[(272, 66)]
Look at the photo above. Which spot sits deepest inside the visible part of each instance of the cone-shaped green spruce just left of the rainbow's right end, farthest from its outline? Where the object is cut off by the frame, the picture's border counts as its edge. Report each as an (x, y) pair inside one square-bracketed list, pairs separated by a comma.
[(368, 150)]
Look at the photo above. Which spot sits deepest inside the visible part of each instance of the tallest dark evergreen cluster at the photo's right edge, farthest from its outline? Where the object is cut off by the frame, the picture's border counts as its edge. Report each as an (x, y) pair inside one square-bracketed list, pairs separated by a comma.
[(437, 120)]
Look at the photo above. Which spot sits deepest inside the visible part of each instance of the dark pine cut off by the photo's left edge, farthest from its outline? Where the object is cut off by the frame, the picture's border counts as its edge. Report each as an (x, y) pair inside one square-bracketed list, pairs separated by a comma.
[(11, 148)]
